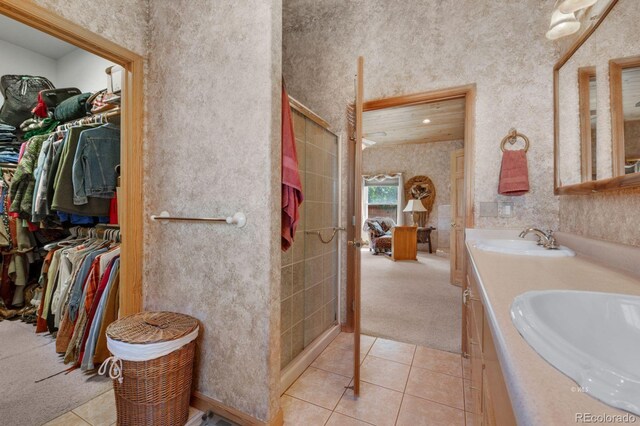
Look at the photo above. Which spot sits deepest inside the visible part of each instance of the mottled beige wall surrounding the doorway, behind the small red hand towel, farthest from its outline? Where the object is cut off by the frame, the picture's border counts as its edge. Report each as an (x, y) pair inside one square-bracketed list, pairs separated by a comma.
[(423, 45)]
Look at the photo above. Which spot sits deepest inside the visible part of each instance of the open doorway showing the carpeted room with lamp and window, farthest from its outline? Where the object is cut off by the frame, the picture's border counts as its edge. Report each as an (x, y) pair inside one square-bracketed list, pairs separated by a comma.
[(407, 193)]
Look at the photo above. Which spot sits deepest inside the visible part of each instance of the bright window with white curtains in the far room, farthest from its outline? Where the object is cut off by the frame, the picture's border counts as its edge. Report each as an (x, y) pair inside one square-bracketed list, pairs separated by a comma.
[(381, 197)]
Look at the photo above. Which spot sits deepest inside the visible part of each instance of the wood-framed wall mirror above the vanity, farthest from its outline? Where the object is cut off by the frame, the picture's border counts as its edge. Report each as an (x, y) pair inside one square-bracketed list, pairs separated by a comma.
[(597, 103)]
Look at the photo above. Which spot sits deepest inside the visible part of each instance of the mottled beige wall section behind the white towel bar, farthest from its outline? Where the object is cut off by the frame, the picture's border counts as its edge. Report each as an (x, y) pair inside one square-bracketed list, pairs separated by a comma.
[(214, 149)]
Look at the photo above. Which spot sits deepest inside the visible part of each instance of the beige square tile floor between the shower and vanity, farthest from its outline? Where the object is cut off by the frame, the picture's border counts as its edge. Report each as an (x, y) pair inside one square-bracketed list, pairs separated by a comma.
[(402, 384)]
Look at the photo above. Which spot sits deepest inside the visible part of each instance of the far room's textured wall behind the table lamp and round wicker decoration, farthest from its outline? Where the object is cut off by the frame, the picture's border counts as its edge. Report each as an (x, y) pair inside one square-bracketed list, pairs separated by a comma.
[(428, 159)]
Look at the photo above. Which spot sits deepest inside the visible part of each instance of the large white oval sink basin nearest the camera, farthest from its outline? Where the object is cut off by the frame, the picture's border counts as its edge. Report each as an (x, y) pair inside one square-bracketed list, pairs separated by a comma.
[(594, 338)]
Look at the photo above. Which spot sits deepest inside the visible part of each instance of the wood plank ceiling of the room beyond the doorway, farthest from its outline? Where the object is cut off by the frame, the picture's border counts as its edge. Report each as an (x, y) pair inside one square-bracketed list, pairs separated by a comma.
[(404, 125)]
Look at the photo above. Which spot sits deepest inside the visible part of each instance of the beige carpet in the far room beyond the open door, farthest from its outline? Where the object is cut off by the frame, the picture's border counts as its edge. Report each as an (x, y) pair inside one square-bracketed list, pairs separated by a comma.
[(411, 302)]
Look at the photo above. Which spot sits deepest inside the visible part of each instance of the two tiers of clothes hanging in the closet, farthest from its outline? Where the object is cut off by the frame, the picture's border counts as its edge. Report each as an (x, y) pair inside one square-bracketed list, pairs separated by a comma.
[(68, 285)]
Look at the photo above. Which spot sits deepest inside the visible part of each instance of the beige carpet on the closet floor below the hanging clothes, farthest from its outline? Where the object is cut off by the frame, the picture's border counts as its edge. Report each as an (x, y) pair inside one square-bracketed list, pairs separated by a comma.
[(29, 397)]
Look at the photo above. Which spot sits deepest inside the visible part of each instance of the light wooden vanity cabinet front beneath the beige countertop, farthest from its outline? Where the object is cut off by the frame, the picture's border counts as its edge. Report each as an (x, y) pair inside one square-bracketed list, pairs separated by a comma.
[(490, 403)]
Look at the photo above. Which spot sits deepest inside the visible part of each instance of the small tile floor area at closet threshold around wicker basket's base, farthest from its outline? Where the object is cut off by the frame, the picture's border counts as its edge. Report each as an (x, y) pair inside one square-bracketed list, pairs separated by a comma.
[(101, 411)]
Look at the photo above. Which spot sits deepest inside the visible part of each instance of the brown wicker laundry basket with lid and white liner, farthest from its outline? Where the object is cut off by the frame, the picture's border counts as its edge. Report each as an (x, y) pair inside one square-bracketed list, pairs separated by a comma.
[(152, 391)]
